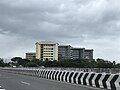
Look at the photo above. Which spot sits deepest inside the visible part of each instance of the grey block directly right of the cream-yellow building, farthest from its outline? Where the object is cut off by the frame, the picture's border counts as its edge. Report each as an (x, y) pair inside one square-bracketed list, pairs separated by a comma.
[(64, 52)]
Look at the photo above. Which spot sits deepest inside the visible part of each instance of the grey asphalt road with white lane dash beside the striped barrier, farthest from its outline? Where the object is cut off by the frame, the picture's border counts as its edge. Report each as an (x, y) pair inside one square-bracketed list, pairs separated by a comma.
[(10, 81)]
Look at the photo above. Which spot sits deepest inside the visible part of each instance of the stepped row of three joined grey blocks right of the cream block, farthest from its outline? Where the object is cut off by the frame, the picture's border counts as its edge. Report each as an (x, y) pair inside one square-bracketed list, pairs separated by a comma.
[(68, 52)]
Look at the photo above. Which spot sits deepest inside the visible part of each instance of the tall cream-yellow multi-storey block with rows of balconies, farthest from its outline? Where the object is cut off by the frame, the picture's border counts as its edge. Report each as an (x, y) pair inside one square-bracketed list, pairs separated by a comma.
[(46, 50)]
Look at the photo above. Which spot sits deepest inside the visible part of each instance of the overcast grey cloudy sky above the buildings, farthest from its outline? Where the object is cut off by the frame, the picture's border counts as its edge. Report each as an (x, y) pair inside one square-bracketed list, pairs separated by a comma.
[(92, 24)]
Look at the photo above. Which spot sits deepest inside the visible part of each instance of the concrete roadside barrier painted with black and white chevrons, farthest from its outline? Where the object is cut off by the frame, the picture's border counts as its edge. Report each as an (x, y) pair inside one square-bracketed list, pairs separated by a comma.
[(99, 80)]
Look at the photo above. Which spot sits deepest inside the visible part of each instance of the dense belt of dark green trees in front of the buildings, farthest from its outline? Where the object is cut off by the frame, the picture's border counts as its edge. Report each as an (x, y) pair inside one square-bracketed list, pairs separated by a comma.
[(82, 63)]
